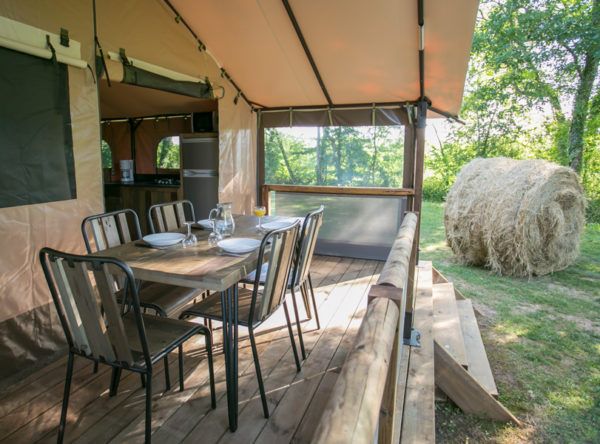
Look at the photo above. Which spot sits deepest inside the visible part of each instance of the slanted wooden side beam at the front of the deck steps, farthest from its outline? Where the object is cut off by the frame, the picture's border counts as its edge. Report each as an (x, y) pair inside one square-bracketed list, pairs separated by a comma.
[(465, 391)]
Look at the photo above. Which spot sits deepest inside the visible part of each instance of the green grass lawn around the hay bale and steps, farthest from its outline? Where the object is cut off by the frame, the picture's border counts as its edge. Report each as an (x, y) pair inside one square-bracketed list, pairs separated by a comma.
[(542, 336)]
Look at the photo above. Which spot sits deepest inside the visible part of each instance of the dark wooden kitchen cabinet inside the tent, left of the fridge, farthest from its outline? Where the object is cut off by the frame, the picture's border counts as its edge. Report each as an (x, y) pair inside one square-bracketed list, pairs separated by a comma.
[(138, 197)]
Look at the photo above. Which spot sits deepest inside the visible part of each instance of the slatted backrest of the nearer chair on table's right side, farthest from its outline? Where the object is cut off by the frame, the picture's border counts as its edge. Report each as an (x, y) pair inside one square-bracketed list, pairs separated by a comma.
[(277, 249)]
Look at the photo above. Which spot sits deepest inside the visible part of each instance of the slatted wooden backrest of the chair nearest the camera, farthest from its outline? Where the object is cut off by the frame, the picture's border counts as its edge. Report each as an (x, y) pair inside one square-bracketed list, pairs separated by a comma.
[(89, 314)]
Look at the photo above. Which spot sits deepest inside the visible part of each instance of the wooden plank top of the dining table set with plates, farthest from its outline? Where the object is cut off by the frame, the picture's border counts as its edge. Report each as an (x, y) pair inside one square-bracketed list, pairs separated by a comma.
[(200, 266)]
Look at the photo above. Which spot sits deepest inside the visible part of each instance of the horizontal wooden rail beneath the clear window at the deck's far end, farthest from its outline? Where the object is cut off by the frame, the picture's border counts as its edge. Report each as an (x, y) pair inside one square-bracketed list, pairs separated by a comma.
[(346, 191)]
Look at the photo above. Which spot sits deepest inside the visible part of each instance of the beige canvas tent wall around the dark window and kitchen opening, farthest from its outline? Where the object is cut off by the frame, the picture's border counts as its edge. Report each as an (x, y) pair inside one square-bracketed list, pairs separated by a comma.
[(29, 329)]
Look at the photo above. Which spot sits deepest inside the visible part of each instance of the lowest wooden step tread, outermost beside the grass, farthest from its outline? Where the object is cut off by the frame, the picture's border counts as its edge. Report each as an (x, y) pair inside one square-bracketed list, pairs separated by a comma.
[(477, 359)]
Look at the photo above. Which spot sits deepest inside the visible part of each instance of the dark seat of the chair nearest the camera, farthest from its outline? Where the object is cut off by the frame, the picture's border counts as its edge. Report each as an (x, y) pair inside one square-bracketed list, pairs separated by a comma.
[(163, 335)]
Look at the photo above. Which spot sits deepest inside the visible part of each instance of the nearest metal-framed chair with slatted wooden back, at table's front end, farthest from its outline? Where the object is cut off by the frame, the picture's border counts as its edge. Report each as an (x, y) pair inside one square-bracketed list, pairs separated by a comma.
[(119, 335)]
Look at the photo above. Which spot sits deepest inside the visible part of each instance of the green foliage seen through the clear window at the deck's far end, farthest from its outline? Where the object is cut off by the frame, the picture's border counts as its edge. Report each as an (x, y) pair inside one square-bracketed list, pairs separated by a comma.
[(339, 156)]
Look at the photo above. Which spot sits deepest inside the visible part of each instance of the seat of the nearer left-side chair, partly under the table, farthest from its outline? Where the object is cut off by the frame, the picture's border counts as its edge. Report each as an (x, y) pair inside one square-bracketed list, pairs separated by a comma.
[(164, 298)]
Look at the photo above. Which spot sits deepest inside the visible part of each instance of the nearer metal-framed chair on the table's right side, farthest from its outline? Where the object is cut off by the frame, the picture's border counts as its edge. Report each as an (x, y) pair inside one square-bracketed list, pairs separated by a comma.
[(255, 306)]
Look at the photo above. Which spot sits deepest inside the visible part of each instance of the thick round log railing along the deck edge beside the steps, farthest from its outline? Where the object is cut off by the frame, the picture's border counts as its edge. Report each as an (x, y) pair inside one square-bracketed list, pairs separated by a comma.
[(364, 401)]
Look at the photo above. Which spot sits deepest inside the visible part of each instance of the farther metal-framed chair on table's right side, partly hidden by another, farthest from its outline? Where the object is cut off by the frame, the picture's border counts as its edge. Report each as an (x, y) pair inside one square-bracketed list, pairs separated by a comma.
[(300, 278)]
